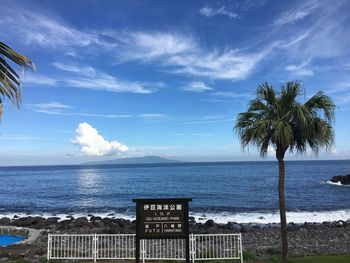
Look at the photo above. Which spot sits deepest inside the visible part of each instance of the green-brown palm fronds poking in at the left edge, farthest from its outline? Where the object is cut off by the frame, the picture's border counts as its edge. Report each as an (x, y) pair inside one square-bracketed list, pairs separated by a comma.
[(10, 81)]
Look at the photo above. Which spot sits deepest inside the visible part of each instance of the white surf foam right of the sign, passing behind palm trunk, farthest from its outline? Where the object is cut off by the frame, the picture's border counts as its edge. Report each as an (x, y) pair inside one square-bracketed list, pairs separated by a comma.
[(274, 217)]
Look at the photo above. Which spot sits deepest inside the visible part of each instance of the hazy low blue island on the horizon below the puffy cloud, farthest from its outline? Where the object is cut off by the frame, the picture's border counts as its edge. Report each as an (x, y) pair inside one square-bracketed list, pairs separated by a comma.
[(135, 160)]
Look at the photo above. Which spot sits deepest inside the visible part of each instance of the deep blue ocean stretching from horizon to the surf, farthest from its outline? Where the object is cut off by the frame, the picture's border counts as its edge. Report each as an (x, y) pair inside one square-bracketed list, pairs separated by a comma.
[(238, 191)]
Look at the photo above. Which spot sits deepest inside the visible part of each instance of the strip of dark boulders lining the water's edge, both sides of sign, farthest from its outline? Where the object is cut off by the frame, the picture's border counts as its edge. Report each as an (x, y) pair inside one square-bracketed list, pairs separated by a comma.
[(70, 223)]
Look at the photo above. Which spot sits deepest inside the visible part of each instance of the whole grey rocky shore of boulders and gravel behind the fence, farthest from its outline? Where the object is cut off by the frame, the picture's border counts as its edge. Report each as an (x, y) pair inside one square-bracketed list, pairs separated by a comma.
[(262, 240)]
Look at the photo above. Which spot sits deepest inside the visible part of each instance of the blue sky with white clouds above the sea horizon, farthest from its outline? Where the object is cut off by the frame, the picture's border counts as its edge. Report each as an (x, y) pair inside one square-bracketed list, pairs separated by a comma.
[(121, 79)]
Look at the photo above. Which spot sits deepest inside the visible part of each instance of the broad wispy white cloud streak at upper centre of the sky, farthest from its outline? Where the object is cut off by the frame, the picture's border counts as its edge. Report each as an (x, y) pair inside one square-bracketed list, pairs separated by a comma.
[(185, 56)]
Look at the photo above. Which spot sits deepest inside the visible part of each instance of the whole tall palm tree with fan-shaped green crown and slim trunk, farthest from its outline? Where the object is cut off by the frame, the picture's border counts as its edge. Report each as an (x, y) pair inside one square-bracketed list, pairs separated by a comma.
[(279, 120)]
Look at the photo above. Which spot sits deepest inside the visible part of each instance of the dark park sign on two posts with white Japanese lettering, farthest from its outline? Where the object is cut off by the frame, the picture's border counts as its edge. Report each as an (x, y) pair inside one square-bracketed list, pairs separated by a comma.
[(162, 219)]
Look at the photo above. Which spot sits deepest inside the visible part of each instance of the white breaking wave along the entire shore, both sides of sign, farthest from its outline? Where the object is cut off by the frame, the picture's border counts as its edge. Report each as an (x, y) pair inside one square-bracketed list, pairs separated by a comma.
[(297, 217)]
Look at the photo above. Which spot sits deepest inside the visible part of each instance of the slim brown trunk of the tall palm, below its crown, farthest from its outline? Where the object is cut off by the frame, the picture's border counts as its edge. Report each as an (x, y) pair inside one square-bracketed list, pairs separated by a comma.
[(282, 206)]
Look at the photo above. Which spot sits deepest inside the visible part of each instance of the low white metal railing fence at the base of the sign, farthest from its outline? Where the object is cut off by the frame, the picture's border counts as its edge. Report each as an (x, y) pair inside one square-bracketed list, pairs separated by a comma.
[(122, 246)]
